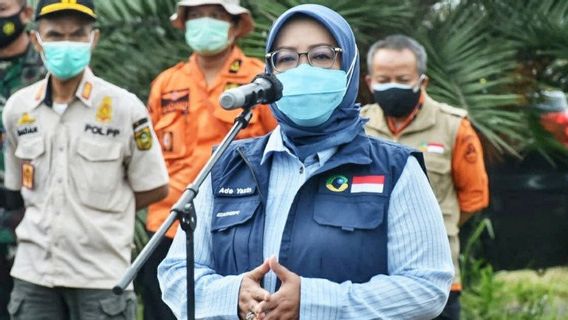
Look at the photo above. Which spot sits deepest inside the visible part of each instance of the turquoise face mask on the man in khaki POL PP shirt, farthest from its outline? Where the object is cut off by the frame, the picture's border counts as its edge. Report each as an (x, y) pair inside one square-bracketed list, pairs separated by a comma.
[(65, 59)]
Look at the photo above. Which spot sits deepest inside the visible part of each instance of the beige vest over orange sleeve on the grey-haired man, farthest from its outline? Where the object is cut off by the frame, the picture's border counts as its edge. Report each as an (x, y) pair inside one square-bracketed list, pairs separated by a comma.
[(453, 157)]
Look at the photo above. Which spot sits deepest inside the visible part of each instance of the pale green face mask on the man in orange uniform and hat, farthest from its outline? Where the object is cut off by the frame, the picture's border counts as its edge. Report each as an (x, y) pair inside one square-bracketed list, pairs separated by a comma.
[(207, 36)]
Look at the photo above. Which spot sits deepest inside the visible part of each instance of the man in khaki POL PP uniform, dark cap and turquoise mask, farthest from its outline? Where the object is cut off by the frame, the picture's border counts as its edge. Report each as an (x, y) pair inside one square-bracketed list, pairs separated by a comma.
[(84, 156)]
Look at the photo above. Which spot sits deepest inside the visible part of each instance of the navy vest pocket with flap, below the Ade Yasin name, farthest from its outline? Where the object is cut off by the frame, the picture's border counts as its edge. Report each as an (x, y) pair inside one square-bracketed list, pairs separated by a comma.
[(232, 228)]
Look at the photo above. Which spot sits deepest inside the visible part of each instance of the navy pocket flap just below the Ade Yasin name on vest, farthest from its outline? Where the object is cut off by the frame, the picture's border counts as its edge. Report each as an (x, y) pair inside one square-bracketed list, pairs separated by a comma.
[(231, 212)]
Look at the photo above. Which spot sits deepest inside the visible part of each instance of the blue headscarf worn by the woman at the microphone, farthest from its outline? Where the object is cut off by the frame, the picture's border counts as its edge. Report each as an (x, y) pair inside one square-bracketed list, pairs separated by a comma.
[(345, 123)]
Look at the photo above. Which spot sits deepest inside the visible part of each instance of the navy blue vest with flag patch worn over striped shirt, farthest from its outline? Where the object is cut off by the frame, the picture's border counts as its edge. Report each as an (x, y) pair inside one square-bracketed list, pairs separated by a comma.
[(337, 225)]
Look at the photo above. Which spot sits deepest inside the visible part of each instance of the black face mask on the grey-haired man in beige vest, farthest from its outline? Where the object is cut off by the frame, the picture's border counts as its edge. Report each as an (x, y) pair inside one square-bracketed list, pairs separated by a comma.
[(397, 102)]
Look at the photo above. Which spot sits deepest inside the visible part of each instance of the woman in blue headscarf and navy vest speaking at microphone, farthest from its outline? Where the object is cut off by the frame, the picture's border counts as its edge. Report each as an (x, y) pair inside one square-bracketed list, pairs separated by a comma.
[(315, 220)]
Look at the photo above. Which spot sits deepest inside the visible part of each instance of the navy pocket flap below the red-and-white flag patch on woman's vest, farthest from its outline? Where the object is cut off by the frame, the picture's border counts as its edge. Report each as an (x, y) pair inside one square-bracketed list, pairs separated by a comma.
[(349, 213)]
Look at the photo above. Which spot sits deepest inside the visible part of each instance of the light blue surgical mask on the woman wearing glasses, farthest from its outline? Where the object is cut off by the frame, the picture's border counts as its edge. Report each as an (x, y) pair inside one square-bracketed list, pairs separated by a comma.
[(311, 94)]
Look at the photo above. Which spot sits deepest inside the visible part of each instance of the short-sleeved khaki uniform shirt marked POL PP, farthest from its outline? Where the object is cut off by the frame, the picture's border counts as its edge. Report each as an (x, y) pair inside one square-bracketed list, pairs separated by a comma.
[(77, 173)]
